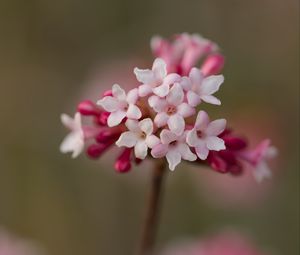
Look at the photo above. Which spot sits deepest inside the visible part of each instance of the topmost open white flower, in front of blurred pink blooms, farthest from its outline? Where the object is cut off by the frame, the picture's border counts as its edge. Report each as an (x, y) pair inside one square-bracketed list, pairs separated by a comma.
[(155, 80)]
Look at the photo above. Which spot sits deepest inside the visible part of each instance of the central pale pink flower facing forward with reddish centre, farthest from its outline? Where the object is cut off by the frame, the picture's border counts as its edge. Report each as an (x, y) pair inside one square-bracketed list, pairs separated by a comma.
[(171, 110)]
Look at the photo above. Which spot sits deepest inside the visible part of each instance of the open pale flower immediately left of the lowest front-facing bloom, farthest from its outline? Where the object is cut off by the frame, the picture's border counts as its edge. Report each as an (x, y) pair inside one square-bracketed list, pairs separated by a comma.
[(139, 136)]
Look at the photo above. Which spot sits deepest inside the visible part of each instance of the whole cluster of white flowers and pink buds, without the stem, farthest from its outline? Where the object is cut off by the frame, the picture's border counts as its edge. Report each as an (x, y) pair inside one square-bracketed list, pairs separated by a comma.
[(160, 117)]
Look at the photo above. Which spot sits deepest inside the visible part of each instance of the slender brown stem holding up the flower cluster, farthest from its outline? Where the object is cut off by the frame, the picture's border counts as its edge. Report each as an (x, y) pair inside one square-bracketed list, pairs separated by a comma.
[(152, 211)]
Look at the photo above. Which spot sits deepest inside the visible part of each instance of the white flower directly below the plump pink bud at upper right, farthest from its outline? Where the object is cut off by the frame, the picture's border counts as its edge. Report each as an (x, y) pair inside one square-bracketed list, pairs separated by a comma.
[(199, 88)]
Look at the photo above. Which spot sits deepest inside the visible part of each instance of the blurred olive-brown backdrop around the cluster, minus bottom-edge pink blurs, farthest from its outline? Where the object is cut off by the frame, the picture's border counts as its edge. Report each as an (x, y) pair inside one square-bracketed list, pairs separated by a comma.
[(55, 53)]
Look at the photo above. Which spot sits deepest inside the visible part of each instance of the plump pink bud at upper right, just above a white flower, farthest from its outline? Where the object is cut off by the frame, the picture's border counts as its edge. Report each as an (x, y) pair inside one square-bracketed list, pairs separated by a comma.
[(213, 65)]
